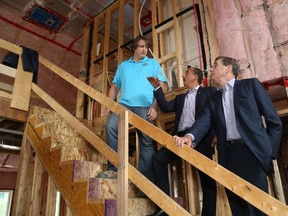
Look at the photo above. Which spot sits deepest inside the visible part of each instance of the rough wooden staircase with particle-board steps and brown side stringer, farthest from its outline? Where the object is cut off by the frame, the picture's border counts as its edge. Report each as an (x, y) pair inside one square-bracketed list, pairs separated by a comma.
[(73, 166)]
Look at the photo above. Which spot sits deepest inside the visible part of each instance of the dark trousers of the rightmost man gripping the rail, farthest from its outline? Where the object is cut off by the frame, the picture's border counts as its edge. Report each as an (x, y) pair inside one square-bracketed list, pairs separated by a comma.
[(241, 161)]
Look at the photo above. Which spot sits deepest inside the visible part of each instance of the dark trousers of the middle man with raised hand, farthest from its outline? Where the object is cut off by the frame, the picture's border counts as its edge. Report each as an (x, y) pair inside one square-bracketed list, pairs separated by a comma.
[(162, 158)]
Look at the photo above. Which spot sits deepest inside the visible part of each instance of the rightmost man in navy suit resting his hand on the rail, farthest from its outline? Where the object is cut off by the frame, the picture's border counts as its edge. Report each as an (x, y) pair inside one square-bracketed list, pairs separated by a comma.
[(245, 146)]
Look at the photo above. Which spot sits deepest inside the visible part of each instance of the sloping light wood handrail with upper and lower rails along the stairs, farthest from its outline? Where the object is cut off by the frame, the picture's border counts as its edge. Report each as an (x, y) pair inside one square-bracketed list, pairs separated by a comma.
[(244, 189)]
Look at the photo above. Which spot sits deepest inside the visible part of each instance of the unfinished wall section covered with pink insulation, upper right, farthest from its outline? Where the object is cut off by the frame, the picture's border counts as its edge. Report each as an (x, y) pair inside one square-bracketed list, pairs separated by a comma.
[(255, 32)]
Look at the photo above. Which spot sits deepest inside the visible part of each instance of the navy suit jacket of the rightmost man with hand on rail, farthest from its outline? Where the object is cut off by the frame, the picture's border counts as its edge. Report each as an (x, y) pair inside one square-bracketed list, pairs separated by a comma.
[(251, 102)]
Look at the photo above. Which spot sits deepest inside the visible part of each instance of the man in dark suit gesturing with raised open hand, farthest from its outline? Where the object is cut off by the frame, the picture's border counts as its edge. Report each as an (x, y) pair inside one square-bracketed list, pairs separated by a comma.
[(187, 107)]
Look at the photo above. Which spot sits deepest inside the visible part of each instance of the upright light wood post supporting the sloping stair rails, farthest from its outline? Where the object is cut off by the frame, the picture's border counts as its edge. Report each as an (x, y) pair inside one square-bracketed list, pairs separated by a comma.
[(122, 174)]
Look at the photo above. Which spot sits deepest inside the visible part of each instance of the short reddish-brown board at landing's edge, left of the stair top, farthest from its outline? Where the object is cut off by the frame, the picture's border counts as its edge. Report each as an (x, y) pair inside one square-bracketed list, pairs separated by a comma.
[(12, 114)]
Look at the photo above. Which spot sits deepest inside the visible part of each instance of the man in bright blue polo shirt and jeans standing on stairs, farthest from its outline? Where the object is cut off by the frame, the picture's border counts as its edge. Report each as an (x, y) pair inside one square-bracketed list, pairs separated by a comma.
[(137, 96)]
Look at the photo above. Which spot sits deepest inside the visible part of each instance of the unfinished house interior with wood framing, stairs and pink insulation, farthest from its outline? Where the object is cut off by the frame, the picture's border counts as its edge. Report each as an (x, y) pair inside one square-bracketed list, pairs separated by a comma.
[(61, 114)]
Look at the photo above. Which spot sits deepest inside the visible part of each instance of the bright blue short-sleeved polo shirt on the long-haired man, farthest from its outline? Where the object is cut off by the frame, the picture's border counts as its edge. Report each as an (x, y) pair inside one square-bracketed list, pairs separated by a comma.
[(131, 78)]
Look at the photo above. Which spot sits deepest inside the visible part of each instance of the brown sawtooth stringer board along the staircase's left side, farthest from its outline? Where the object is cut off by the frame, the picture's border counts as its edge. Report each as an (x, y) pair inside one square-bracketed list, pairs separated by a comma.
[(75, 194)]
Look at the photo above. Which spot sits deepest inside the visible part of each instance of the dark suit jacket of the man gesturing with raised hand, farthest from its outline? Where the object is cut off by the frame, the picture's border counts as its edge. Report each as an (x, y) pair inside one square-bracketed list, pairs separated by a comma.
[(177, 105)]
